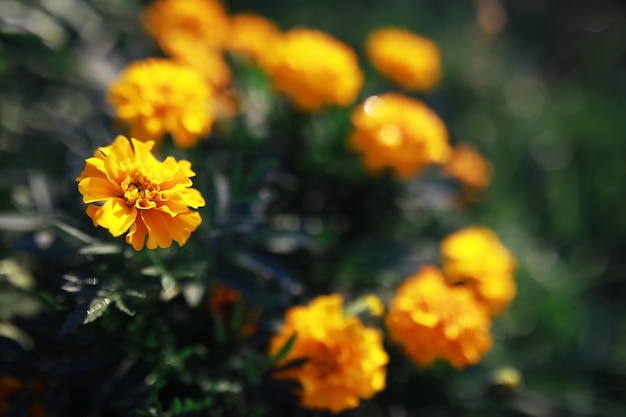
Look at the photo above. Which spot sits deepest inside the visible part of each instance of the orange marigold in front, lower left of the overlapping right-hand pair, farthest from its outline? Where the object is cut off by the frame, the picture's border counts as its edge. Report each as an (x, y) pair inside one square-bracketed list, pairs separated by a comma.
[(431, 319)]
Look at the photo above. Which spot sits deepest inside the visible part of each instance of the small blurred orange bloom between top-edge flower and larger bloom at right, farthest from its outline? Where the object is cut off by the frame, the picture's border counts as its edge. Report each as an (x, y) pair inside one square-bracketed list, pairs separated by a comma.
[(250, 35)]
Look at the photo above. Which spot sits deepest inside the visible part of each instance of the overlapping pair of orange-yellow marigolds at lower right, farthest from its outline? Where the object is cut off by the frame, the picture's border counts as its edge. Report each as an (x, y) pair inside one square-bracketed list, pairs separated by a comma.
[(447, 315)]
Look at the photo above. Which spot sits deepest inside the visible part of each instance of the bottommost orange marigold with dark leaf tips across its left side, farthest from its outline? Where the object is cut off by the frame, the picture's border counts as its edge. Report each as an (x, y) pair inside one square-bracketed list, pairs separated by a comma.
[(345, 360)]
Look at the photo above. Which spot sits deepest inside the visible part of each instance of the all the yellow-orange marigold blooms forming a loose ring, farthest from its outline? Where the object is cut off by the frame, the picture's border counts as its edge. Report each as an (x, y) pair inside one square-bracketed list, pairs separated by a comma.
[(435, 314)]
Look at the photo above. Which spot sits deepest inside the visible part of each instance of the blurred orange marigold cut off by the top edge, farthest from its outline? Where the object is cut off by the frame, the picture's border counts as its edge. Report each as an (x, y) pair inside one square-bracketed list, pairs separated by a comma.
[(183, 27)]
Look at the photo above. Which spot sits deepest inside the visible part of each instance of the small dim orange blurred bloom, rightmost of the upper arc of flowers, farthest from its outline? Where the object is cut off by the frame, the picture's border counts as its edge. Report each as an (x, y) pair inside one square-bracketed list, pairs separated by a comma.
[(469, 167)]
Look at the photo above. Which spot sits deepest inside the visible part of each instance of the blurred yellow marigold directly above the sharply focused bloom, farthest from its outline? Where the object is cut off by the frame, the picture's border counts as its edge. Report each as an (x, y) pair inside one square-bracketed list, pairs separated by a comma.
[(159, 96)]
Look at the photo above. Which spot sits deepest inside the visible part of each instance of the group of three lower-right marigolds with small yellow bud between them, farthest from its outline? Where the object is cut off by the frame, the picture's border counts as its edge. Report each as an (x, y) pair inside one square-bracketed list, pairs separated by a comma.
[(433, 315)]
